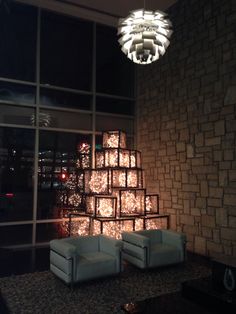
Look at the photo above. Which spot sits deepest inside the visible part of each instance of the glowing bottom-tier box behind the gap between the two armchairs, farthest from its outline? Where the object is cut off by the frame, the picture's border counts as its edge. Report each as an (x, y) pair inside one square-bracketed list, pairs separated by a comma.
[(112, 227)]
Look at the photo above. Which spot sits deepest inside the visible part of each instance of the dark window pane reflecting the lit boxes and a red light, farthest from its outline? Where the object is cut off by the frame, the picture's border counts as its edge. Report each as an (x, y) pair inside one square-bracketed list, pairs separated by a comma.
[(59, 156)]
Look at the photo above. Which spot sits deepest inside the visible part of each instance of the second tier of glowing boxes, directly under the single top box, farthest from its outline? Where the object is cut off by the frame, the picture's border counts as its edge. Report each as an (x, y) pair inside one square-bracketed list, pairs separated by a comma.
[(117, 157)]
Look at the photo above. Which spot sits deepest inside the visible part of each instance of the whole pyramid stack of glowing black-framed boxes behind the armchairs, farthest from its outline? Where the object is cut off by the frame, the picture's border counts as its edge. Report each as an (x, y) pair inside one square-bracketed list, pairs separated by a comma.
[(113, 193)]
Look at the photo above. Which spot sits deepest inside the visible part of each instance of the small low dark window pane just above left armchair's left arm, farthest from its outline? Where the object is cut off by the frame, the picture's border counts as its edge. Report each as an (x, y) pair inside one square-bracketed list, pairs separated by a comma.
[(50, 231)]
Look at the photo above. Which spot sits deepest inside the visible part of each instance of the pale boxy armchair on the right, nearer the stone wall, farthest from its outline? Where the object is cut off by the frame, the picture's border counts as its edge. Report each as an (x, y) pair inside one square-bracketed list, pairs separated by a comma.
[(152, 248)]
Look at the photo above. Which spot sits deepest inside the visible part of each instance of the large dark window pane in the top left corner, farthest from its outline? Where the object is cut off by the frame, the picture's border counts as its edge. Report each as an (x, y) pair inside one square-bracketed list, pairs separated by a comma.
[(18, 42)]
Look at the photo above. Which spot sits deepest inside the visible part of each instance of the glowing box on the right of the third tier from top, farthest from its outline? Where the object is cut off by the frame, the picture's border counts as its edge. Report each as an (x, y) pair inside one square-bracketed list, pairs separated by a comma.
[(126, 178)]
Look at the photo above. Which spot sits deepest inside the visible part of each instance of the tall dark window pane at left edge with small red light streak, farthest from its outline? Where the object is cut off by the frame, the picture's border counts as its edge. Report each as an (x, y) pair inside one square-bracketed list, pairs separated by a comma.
[(16, 174)]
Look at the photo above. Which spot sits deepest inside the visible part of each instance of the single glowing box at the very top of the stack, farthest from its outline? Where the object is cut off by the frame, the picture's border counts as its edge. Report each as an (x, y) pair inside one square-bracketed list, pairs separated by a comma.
[(114, 139)]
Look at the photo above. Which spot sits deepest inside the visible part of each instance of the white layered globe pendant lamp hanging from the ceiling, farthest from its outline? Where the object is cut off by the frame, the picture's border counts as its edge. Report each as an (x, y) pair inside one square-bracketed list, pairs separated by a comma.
[(144, 35)]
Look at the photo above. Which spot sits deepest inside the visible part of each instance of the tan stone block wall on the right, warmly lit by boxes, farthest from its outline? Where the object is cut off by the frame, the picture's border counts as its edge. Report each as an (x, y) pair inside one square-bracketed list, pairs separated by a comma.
[(186, 125)]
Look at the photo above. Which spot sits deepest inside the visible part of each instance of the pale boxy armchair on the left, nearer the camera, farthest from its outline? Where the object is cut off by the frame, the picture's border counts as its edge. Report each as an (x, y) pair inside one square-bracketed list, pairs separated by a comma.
[(82, 258)]
